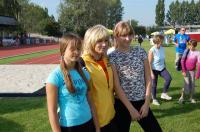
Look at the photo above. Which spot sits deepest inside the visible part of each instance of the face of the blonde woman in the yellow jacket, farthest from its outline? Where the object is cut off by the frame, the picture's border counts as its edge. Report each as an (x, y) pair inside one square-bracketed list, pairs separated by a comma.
[(101, 46)]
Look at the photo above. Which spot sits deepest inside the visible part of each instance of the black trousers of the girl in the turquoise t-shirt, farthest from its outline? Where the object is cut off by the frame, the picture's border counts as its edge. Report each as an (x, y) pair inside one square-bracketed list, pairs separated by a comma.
[(86, 127)]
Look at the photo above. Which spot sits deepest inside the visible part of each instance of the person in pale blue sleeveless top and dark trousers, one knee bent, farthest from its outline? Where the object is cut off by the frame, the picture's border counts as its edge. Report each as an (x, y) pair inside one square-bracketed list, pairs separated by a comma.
[(157, 64)]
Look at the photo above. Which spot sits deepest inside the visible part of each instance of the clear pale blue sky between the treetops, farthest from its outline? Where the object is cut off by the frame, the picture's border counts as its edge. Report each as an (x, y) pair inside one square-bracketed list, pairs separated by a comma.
[(142, 11)]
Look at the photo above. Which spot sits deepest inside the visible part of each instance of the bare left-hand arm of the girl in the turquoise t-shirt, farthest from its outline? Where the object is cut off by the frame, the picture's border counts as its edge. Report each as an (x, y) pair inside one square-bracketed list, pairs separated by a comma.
[(52, 93)]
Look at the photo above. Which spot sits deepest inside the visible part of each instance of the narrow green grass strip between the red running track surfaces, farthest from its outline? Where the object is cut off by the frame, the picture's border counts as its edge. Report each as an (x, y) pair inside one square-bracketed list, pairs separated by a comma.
[(27, 56)]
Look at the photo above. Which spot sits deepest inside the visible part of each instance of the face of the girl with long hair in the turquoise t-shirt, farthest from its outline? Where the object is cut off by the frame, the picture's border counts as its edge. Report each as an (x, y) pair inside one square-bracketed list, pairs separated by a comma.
[(72, 54)]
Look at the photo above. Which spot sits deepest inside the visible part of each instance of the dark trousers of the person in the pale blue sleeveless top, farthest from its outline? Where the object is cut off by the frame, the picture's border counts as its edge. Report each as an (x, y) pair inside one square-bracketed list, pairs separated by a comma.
[(167, 77)]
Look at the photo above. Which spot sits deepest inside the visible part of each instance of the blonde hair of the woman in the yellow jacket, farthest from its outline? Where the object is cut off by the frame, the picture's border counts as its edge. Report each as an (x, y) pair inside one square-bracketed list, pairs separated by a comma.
[(92, 36)]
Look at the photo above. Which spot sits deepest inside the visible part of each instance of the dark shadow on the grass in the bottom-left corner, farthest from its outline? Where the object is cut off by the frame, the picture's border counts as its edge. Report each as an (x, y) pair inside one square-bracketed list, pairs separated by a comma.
[(10, 126)]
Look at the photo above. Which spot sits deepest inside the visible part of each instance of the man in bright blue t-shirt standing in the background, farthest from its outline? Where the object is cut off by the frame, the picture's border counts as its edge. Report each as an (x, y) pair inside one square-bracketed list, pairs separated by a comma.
[(180, 40)]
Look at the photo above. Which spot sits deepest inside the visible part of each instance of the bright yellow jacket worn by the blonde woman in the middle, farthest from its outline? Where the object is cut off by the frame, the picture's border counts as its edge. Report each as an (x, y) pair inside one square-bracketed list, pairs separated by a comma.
[(101, 89)]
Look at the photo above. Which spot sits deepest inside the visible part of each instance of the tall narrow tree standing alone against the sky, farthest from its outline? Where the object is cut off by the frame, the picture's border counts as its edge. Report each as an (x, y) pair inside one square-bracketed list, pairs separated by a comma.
[(160, 13)]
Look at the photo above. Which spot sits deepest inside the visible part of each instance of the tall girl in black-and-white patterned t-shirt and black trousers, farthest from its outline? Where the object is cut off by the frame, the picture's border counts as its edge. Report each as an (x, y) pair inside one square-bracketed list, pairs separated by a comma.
[(133, 69)]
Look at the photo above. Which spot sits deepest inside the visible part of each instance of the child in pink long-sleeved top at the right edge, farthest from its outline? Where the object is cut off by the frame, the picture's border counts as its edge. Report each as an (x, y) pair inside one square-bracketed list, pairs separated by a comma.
[(190, 59)]
